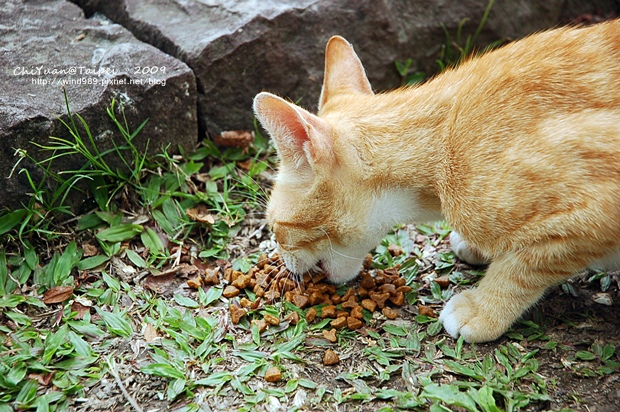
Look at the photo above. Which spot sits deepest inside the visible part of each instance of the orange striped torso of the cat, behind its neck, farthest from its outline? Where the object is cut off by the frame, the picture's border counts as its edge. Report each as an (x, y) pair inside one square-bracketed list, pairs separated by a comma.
[(535, 134)]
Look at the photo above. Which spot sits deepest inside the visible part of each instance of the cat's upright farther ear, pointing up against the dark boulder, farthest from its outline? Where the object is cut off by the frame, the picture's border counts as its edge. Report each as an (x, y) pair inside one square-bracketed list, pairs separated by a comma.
[(343, 71)]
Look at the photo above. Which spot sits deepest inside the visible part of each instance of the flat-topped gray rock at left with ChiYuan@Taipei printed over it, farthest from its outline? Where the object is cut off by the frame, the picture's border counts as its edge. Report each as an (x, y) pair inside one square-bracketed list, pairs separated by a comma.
[(46, 43)]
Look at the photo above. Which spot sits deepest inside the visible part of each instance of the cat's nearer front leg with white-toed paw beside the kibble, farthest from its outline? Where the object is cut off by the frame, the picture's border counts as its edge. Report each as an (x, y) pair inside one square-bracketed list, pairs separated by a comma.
[(507, 290)]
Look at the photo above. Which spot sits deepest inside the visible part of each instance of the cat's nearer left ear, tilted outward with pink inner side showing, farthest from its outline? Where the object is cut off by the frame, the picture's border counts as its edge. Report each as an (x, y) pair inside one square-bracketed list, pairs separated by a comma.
[(302, 139)]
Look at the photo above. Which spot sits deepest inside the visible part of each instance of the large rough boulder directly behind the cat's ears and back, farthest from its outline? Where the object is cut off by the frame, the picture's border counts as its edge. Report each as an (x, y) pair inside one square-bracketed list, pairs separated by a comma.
[(238, 48)]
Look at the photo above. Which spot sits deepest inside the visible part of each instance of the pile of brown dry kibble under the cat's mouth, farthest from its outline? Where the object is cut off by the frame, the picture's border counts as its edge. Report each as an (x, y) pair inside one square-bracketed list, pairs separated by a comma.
[(271, 282)]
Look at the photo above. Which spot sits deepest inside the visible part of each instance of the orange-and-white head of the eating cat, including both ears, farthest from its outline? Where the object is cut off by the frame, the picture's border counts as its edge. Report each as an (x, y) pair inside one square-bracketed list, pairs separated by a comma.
[(323, 212)]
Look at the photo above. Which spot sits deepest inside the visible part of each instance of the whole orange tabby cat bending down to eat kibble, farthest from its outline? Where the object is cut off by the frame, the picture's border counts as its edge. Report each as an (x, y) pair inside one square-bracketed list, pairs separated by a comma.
[(519, 150)]
